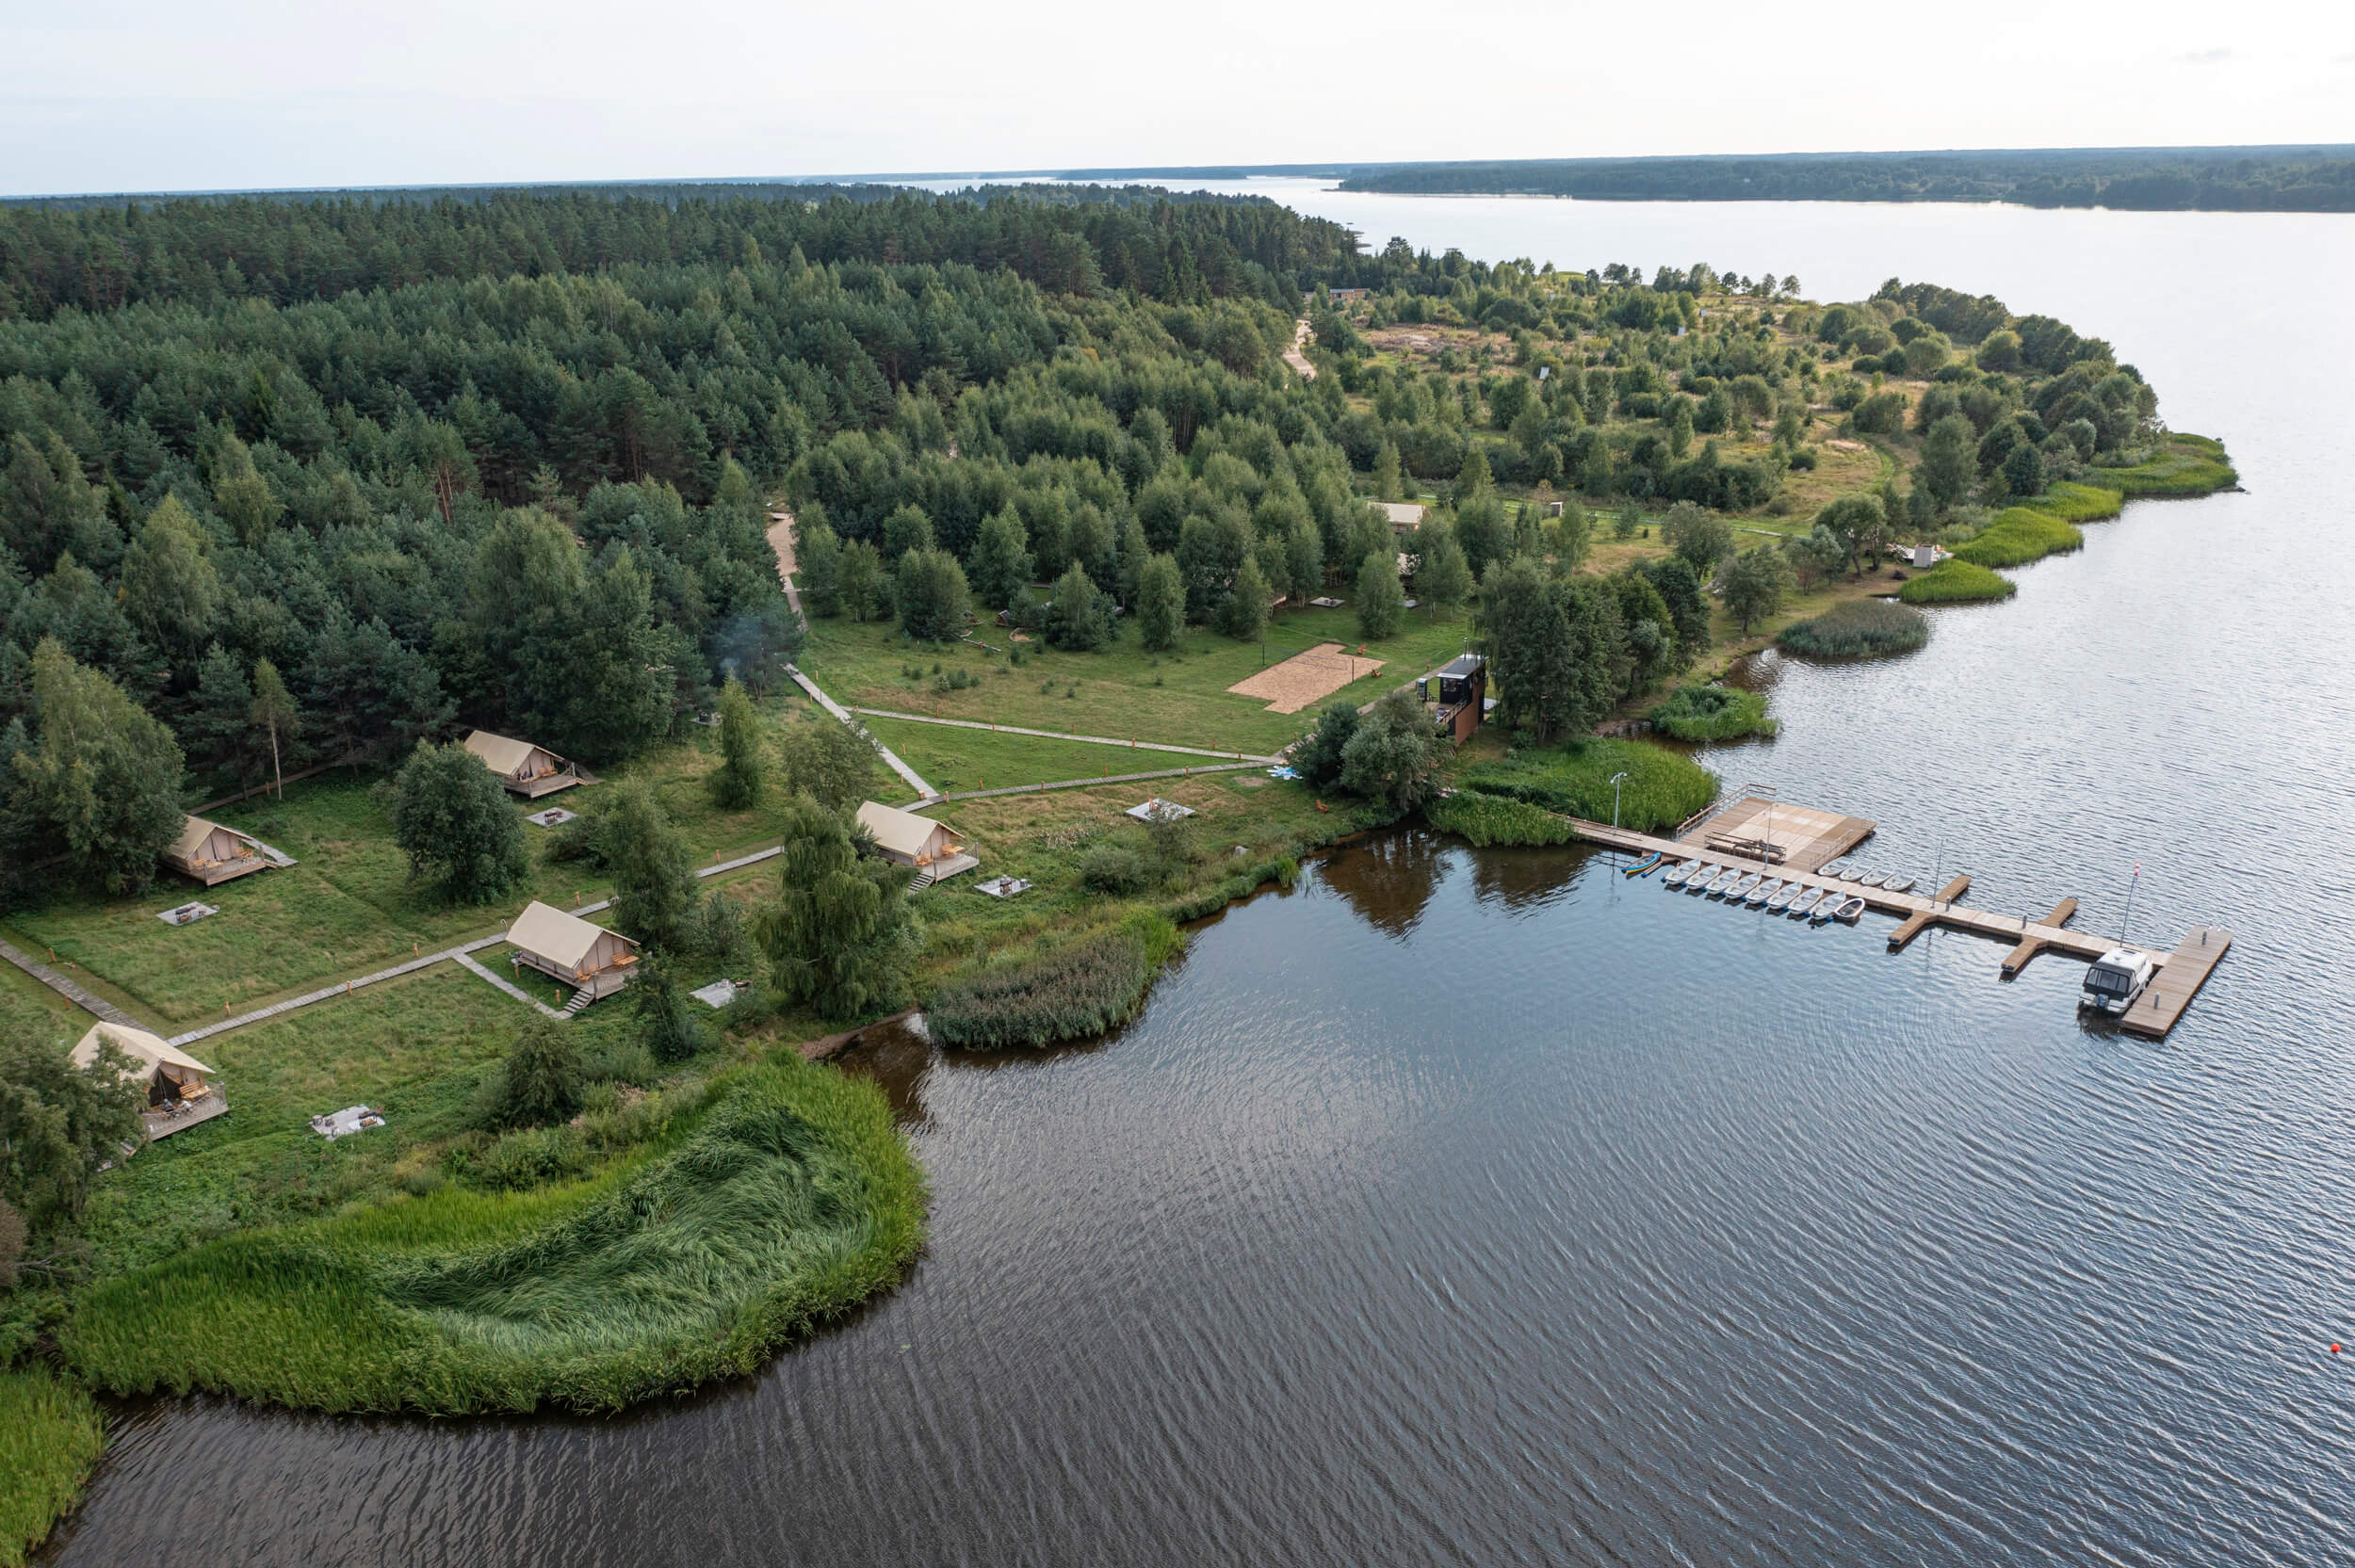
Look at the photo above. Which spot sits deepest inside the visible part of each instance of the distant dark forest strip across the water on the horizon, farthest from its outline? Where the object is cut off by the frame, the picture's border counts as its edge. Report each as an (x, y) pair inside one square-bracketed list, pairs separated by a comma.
[(2135, 180)]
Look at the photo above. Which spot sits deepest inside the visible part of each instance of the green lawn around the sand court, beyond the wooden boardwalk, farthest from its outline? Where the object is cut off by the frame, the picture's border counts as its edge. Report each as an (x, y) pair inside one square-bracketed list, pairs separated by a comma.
[(1122, 693)]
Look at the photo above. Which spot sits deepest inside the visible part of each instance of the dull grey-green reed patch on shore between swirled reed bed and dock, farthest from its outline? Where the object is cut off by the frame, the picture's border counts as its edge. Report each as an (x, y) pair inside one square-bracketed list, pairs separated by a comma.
[(1066, 992)]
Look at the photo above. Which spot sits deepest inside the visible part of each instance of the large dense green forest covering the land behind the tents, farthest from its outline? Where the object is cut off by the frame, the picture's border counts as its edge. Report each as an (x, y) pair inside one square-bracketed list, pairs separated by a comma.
[(317, 479)]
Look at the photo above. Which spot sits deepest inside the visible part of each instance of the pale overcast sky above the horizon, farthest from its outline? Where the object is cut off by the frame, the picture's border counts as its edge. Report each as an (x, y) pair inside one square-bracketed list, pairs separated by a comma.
[(150, 95)]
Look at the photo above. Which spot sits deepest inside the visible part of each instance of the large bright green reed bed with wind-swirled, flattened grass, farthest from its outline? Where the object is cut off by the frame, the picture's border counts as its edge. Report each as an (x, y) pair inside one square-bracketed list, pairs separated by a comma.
[(783, 1200)]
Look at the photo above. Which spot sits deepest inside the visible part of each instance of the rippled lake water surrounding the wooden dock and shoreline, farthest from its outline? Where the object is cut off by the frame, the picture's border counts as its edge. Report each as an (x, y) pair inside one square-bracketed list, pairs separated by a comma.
[(1490, 1209)]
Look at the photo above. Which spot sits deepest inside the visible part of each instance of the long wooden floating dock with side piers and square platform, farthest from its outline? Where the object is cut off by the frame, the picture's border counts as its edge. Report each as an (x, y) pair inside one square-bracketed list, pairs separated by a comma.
[(1796, 844)]
